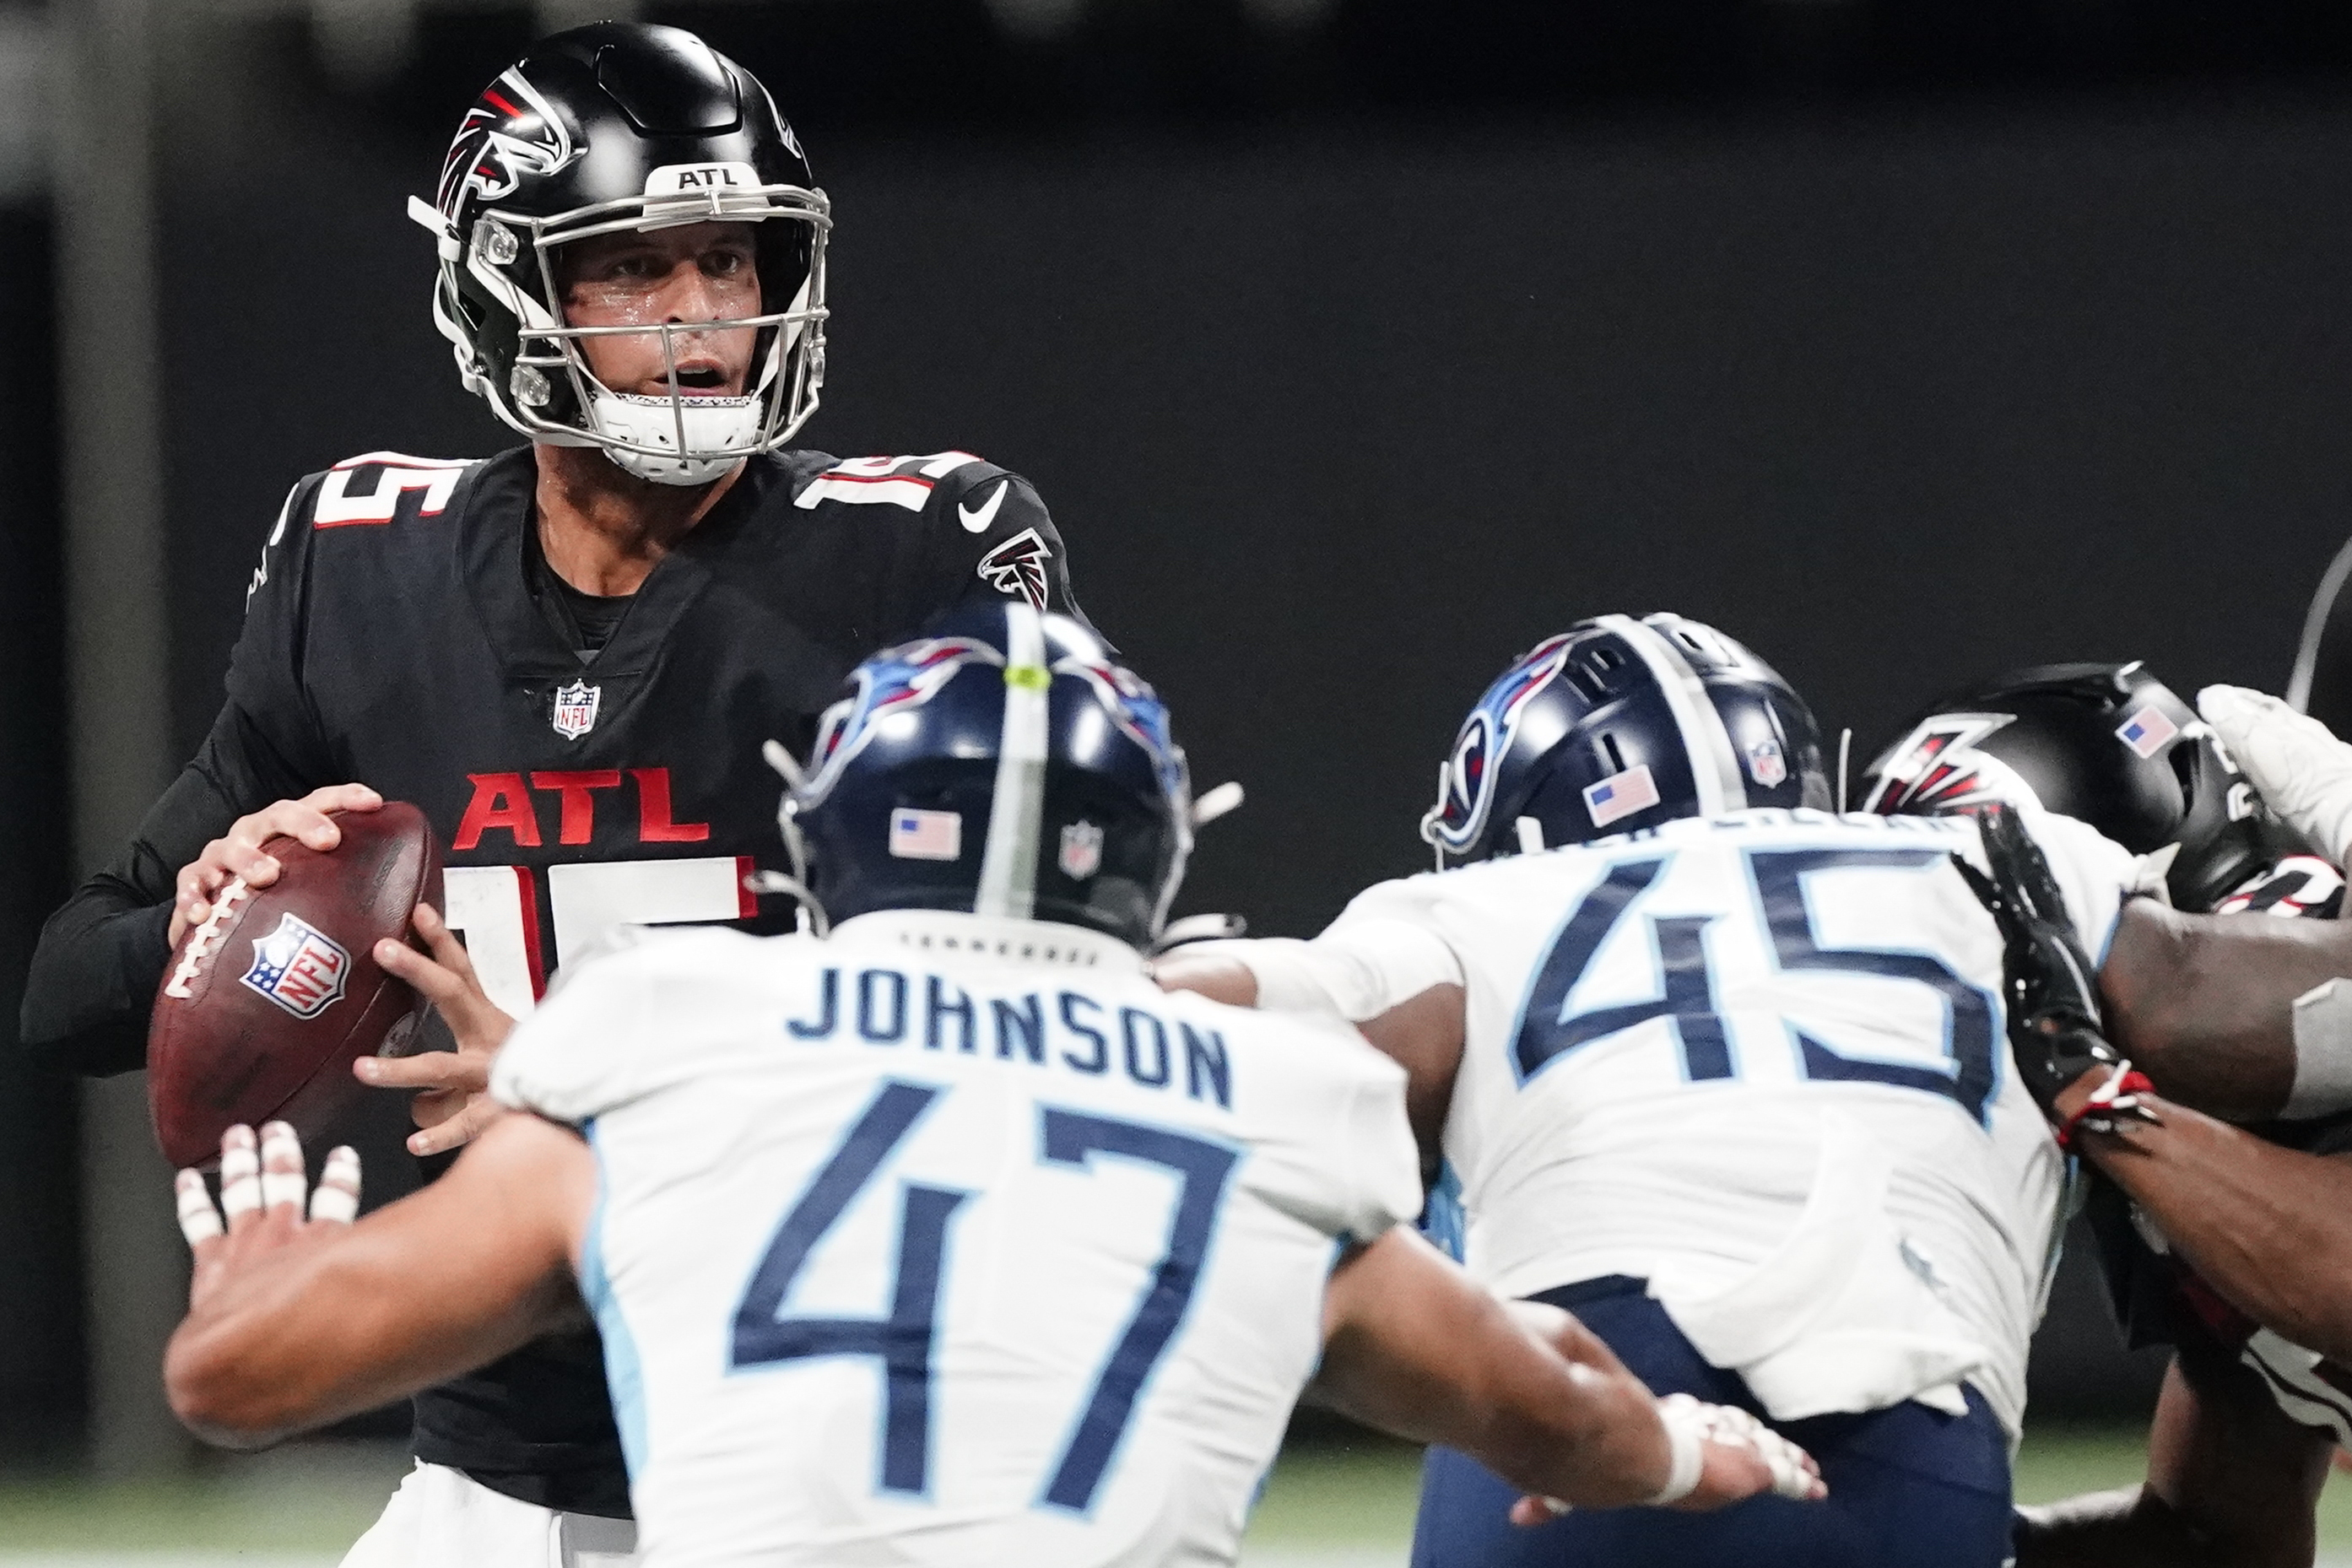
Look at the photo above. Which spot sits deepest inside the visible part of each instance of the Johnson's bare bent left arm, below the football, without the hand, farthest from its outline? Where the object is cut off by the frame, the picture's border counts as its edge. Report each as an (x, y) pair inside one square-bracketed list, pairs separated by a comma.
[(420, 1292)]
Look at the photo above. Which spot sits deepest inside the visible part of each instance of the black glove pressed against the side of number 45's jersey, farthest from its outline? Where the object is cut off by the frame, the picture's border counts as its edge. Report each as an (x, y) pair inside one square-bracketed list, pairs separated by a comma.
[(2050, 986)]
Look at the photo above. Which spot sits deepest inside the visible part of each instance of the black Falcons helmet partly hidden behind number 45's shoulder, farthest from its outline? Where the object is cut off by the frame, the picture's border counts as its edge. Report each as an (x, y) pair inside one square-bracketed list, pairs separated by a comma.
[(2106, 744)]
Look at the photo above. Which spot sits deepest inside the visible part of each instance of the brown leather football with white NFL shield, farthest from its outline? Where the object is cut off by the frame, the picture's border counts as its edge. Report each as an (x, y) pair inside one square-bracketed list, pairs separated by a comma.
[(276, 993)]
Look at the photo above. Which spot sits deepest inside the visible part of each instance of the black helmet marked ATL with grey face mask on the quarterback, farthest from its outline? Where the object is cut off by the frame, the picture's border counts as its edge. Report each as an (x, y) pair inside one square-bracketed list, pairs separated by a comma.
[(601, 130)]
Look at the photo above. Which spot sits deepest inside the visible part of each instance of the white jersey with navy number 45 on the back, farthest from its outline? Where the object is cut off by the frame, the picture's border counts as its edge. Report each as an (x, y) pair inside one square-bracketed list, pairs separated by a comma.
[(1758, 1061)]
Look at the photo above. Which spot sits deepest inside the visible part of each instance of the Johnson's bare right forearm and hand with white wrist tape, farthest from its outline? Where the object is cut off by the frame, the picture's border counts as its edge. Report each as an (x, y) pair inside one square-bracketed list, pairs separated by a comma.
[(1417, 1348)]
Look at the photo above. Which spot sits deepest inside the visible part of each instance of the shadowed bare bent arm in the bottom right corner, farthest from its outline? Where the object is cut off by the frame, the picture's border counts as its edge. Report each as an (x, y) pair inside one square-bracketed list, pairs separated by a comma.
[(2231, 1485)]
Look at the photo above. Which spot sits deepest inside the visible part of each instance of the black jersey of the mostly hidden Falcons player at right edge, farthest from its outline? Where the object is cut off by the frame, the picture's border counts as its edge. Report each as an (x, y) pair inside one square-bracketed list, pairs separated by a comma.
[(2158, 1299)]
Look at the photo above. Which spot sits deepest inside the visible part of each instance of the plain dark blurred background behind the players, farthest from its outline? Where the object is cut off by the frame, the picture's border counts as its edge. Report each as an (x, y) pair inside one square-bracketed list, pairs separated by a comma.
[(1356, 349)]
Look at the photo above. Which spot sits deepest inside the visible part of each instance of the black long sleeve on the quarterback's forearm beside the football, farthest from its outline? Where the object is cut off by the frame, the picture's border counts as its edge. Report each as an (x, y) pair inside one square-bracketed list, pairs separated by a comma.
[(93, 979)]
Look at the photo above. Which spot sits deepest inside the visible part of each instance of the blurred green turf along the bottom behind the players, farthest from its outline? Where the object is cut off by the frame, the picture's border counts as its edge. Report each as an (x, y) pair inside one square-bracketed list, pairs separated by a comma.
[(1325, 1508)]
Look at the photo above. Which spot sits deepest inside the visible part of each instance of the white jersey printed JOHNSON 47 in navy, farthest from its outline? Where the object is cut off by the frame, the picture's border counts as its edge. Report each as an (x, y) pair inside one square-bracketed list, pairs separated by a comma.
[(954, 1242)]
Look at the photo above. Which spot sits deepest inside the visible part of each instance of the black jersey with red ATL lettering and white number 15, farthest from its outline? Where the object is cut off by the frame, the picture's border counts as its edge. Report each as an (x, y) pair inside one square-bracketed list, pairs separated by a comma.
[(394, 638)]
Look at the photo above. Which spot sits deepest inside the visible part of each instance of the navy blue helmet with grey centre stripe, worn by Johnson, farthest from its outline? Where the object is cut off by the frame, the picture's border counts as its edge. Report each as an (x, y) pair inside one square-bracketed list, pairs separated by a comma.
[(1001, 765)]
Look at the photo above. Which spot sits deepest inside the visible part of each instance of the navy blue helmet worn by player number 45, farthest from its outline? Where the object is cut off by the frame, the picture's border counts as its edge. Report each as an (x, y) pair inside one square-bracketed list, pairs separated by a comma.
[(1619, 725)]
